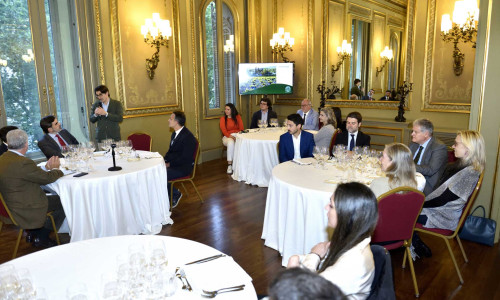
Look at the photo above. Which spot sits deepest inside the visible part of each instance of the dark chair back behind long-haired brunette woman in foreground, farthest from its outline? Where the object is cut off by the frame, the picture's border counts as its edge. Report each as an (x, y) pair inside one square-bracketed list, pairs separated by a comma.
[(383, 285)]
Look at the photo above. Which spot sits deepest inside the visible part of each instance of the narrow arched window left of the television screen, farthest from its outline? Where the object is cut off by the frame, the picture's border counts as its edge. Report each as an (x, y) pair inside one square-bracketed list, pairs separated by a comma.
[(220, 65)]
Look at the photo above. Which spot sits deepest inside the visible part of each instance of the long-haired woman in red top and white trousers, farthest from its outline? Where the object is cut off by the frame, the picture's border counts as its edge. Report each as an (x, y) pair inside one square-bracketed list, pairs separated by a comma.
[(230, 123)]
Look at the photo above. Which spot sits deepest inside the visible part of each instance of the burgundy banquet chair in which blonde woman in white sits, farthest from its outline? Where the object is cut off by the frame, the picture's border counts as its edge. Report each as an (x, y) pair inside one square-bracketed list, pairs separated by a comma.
[(398, 211)]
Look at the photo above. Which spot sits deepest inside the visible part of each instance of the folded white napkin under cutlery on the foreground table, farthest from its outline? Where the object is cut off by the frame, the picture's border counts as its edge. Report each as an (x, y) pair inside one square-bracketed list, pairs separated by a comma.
[(216, 274)]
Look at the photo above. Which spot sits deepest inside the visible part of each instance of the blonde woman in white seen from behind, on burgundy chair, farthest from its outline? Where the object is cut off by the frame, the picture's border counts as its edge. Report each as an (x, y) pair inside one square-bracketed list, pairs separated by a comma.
[(399, 169)]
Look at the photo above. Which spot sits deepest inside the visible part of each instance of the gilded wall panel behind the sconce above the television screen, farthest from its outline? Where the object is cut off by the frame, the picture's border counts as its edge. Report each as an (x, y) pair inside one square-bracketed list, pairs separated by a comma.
[(303, 85)]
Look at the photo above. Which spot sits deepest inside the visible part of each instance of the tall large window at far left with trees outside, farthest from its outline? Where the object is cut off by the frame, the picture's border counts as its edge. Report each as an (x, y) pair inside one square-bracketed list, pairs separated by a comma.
[(36, 79)]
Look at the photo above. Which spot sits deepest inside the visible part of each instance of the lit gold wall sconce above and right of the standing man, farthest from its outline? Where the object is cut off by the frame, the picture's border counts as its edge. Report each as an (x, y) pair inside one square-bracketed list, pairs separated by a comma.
[(156, 33)]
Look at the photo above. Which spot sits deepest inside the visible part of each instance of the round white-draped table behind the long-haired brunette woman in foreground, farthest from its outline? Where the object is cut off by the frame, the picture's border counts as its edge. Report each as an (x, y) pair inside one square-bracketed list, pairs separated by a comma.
[(295, 218)]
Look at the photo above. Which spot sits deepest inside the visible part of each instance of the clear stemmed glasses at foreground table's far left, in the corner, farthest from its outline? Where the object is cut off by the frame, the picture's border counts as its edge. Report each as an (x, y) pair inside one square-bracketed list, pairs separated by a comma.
[(17, 284)]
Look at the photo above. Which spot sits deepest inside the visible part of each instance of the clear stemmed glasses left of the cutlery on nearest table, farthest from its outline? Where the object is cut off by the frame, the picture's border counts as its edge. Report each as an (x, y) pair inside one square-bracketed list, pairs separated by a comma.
[(141, 274)]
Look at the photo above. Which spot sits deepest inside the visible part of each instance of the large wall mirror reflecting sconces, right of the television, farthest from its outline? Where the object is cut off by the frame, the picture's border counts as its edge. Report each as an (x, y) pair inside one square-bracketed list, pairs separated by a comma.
[(370, 27)]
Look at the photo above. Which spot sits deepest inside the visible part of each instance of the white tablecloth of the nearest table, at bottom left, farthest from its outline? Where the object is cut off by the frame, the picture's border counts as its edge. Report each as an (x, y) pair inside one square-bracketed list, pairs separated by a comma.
[(57, 268)]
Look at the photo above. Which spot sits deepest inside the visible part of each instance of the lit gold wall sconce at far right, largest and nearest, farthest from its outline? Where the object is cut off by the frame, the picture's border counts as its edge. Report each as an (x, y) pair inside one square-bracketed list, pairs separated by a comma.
[(464, 28)]
